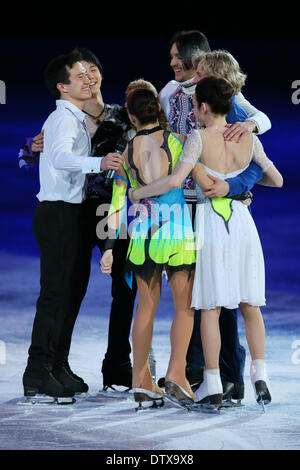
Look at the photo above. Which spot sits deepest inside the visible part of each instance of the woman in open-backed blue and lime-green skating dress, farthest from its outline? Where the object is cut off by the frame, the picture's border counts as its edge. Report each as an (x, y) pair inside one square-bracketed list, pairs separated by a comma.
[(162, 239)]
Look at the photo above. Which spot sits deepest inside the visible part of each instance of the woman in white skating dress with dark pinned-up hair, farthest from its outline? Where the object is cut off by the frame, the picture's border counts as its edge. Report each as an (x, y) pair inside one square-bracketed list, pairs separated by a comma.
[(230, 265)]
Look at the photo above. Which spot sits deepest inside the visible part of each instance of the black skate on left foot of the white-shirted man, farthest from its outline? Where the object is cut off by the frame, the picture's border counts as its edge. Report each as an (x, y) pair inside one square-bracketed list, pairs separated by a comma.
[(40, 386)]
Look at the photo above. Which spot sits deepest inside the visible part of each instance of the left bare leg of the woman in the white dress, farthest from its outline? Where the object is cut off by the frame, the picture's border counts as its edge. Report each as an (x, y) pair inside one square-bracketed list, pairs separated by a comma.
[(211, 338)]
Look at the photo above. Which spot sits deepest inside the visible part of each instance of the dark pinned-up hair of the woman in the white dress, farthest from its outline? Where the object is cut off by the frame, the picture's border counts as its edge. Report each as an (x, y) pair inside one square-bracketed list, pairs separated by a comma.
[(216, 92)]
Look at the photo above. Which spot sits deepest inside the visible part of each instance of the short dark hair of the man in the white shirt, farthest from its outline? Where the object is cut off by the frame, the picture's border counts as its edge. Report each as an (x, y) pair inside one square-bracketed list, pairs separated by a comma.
[(56, 72)]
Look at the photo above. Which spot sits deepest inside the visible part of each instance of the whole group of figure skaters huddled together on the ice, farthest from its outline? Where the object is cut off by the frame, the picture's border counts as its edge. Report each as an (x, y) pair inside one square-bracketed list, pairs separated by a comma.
[(191, 156)]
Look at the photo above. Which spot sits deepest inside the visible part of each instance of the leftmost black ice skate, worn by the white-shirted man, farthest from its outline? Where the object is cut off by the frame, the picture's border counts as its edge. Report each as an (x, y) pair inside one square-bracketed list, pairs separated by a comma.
[(48, 391)]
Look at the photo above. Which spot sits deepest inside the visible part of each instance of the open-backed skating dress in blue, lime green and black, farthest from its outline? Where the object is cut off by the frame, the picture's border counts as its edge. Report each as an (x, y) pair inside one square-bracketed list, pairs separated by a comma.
[(160, 228)]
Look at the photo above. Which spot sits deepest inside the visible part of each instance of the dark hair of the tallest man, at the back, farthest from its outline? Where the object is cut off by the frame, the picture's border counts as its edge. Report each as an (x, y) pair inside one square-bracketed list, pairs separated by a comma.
[(188, 43)]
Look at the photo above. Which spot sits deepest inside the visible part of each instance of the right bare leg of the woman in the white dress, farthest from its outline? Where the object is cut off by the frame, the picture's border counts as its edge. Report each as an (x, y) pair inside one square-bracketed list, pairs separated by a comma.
[(255, 330)]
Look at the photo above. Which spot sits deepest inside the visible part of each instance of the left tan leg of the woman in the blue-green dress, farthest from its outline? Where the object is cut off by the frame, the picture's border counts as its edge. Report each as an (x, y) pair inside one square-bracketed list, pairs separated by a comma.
[(142, 331)]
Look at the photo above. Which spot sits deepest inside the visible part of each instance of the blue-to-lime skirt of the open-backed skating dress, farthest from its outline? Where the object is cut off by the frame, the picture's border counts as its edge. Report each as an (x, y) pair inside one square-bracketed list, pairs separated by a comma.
[(161, 236)]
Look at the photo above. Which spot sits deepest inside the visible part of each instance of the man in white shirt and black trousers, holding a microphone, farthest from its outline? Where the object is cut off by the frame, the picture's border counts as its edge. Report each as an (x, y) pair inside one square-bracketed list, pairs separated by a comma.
[(58, 226)]
